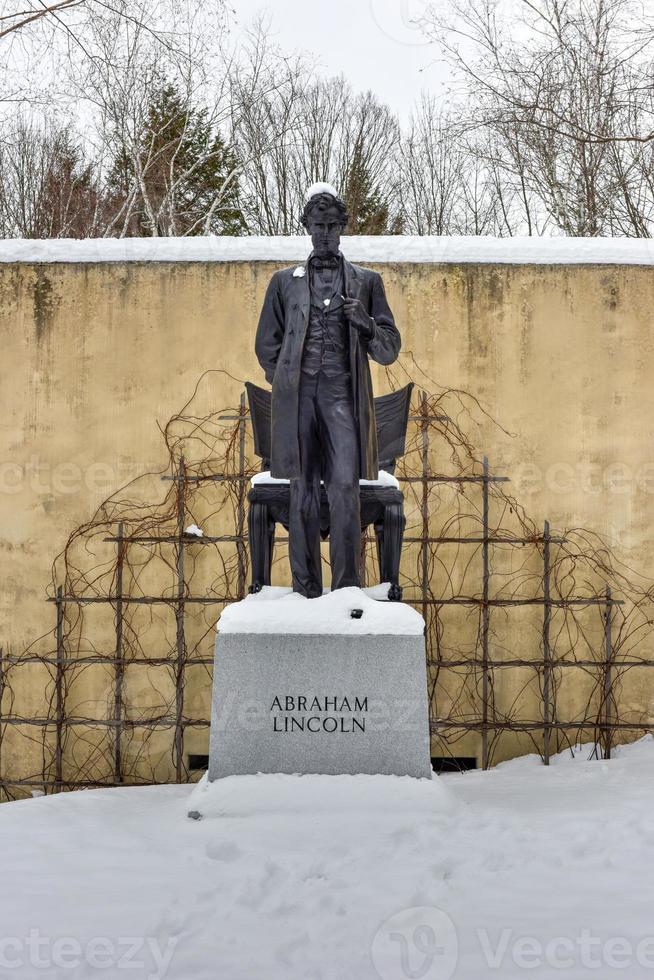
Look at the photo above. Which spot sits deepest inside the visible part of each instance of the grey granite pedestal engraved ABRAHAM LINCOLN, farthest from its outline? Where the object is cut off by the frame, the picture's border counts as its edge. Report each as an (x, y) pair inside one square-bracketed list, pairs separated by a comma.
[(320, 703)]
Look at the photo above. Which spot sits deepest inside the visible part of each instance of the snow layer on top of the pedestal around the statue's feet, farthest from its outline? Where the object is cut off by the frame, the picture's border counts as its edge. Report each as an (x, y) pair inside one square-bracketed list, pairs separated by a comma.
[(279, 610)]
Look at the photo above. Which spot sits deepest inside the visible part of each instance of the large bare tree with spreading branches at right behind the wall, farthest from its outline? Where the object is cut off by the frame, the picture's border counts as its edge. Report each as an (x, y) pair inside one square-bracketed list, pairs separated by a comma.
[(556, 92)]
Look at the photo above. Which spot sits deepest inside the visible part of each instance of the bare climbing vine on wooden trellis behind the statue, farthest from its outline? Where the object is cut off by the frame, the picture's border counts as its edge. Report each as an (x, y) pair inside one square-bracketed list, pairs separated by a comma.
[(119, 690)]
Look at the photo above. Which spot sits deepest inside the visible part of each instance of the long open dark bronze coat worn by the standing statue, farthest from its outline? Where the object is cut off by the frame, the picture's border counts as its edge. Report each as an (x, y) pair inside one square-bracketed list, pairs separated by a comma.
[(279, 343)]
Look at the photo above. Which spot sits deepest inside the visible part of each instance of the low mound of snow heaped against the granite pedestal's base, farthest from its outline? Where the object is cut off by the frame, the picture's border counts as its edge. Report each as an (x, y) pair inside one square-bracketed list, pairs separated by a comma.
[(241, 796)]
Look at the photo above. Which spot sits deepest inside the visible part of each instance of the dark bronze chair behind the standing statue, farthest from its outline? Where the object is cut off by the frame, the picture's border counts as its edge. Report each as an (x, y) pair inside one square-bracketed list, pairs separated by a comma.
[(381, 505)]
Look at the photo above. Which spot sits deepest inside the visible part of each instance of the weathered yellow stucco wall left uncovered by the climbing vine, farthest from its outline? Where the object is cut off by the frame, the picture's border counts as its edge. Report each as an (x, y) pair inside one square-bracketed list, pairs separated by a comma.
[(94, 355)]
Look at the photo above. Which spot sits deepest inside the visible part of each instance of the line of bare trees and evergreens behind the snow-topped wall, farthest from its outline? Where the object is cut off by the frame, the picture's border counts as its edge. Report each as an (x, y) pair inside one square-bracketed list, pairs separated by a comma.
[(151, 120)]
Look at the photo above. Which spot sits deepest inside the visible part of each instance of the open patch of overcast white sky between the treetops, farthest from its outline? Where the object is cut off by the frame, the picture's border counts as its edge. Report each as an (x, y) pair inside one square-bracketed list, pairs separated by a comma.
[(373, 43)]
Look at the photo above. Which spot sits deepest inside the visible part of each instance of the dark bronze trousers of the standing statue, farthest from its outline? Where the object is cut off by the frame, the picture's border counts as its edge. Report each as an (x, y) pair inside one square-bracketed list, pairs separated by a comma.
[(329, 450)]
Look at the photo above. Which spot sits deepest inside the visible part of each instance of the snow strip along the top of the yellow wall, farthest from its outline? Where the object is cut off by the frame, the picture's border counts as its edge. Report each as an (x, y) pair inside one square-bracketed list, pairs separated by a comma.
[(363, 248)]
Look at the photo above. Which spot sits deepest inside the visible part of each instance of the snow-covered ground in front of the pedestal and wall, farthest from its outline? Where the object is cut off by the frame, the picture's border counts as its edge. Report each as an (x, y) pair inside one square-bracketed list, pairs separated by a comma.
[(519, 872)]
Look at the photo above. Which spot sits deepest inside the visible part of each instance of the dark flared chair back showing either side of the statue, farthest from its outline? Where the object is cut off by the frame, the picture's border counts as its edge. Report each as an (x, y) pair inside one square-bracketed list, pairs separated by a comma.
[(391, 416)]
